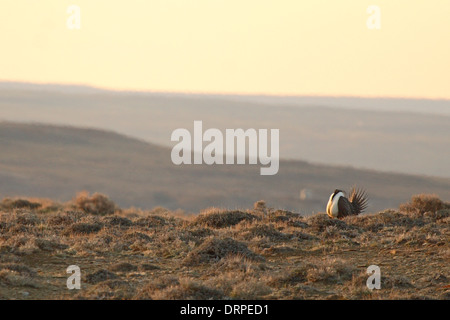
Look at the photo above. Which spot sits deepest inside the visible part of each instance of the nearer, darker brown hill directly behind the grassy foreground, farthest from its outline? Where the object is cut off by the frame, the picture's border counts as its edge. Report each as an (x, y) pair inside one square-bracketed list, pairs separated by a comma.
[(57, 162)]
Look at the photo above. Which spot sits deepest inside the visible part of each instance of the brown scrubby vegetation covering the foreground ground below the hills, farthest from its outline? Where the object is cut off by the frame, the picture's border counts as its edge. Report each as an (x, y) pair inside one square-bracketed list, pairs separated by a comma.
[(260, 253)]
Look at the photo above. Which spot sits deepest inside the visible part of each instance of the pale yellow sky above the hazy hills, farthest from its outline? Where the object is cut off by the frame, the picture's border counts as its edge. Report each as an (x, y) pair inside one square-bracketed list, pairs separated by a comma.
[(284, 47)]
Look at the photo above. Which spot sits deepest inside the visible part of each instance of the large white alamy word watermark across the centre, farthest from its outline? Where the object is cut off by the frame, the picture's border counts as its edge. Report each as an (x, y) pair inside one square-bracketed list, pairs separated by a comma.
[(228, 148)]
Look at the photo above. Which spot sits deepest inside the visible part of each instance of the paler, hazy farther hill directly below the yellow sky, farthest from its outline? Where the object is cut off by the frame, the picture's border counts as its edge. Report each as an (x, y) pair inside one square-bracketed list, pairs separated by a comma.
[(400, 135)]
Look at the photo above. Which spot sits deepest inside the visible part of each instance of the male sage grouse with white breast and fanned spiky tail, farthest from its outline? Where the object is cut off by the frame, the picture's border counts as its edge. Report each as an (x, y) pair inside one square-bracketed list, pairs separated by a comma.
[(339, 206)]
